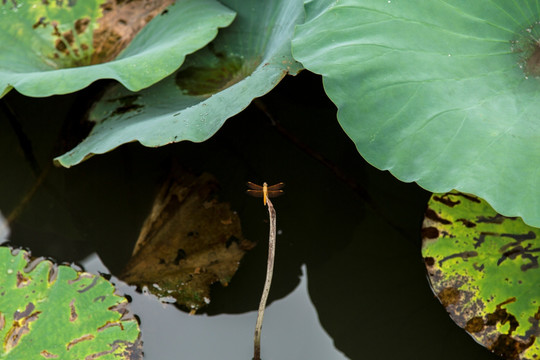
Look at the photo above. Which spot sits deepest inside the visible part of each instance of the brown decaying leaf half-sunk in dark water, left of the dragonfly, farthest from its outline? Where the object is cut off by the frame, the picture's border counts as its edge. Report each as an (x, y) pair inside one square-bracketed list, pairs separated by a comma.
[(188, 242)]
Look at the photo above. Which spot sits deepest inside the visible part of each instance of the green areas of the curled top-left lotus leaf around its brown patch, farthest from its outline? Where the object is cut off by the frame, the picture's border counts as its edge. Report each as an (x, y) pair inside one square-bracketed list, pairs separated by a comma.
[(47, 47)]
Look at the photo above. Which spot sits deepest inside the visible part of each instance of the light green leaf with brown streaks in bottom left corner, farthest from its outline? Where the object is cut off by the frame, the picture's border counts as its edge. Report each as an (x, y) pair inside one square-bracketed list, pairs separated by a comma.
[(55, 312)]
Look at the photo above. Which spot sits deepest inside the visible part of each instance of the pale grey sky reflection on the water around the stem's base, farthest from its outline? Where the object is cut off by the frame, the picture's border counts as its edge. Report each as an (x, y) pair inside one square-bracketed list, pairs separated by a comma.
[(172, 334)]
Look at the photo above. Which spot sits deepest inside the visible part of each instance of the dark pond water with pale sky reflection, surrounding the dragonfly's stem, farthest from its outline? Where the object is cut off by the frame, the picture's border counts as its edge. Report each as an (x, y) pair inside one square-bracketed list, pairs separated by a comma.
[(349, 279)]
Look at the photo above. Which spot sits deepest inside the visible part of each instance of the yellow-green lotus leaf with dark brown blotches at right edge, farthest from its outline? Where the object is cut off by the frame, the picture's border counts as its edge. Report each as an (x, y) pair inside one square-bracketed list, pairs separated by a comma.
[(484, 269)]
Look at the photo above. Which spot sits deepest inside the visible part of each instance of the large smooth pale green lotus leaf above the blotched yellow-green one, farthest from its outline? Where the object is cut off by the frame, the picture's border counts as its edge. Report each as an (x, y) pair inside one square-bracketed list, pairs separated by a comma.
[(436, 91)]
